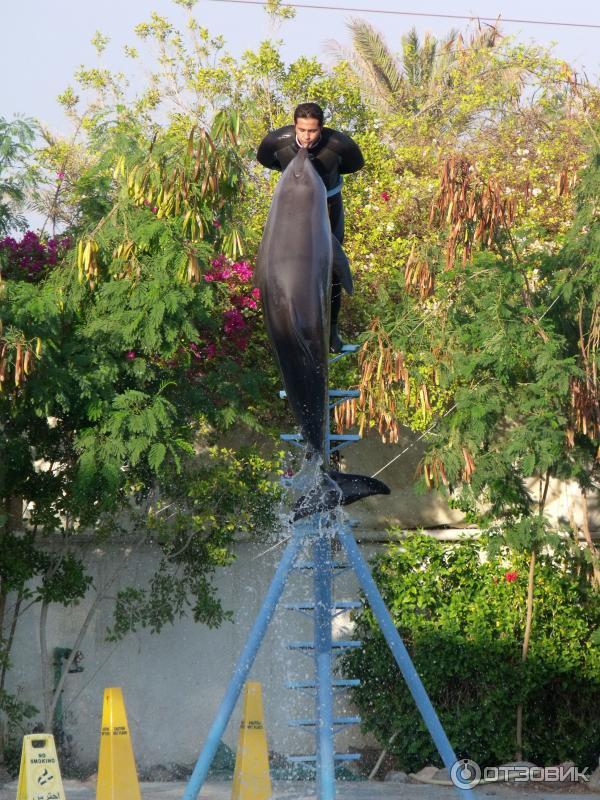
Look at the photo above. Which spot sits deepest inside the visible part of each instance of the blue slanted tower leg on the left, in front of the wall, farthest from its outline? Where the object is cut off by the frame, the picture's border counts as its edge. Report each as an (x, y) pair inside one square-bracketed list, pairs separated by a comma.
[(243, 666)]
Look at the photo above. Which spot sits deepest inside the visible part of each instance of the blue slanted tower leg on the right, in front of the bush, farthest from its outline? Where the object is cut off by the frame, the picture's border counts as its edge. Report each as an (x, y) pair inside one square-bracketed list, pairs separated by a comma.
[(400, 653)]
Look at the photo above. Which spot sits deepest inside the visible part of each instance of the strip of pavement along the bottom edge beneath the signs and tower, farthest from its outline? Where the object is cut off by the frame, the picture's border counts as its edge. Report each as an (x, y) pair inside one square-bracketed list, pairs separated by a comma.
[(350, 790)]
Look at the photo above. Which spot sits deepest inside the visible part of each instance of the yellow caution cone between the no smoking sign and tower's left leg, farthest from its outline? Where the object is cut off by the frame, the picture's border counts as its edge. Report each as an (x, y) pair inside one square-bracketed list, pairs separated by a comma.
[(117, 775)]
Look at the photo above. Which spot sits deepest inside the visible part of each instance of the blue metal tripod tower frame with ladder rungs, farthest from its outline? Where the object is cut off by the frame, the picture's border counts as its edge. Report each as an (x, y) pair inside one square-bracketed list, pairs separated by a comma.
[(320, 533)]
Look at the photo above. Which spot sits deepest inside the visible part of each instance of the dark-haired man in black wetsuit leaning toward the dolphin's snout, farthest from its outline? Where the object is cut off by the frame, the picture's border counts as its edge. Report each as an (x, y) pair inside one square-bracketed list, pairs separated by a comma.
[(333, 154)]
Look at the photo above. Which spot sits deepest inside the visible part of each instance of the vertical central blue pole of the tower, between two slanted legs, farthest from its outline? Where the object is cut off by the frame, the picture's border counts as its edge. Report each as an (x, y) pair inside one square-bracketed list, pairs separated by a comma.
[(322, 634)]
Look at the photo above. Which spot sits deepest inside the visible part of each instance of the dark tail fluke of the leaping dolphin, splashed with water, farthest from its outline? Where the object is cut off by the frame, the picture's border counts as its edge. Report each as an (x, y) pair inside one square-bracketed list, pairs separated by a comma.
[(337, 489)]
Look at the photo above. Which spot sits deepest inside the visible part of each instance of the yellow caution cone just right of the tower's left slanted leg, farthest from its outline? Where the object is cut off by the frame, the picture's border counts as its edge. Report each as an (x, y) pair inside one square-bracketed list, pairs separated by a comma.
[(251, 779)]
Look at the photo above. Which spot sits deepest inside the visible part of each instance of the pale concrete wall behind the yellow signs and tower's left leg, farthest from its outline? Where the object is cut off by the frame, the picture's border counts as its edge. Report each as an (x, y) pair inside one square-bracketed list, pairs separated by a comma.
[(173, 682)]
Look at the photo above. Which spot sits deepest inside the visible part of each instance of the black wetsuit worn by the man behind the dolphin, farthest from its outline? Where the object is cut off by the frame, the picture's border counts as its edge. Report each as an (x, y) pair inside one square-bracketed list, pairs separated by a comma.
[(334, 155)]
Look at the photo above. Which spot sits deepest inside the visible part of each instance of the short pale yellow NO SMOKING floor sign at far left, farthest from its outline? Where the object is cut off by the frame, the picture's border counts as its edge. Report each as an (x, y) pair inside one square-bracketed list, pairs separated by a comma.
[(39, 776)]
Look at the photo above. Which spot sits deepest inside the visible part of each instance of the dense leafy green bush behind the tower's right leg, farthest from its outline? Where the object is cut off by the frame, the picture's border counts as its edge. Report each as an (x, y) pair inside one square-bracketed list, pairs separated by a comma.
[(462, 620)]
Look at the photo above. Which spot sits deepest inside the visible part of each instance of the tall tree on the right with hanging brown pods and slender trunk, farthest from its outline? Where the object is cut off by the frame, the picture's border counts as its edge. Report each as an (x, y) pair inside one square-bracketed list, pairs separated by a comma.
[(477, 344)]
